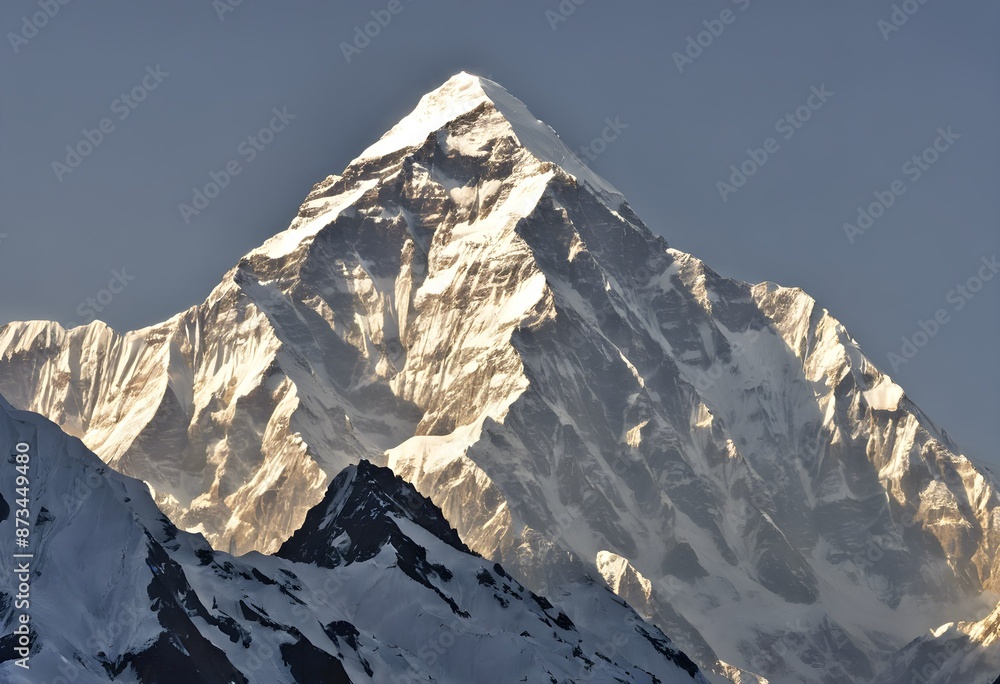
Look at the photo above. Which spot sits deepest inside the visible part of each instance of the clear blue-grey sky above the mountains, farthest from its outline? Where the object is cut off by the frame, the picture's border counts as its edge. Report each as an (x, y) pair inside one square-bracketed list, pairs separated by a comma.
[(209, 75)]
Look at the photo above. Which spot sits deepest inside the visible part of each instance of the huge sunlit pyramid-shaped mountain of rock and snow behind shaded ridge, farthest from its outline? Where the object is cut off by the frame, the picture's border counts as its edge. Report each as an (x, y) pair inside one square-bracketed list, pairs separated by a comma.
[(471, 306)]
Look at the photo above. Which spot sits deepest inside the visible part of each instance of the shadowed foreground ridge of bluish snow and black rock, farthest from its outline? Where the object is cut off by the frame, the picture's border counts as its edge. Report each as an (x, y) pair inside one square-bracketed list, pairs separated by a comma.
[(376, 587)]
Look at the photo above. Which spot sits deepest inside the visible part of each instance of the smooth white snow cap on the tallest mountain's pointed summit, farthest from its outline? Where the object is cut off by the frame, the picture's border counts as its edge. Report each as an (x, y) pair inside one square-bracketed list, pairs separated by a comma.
[(462, 94)]
